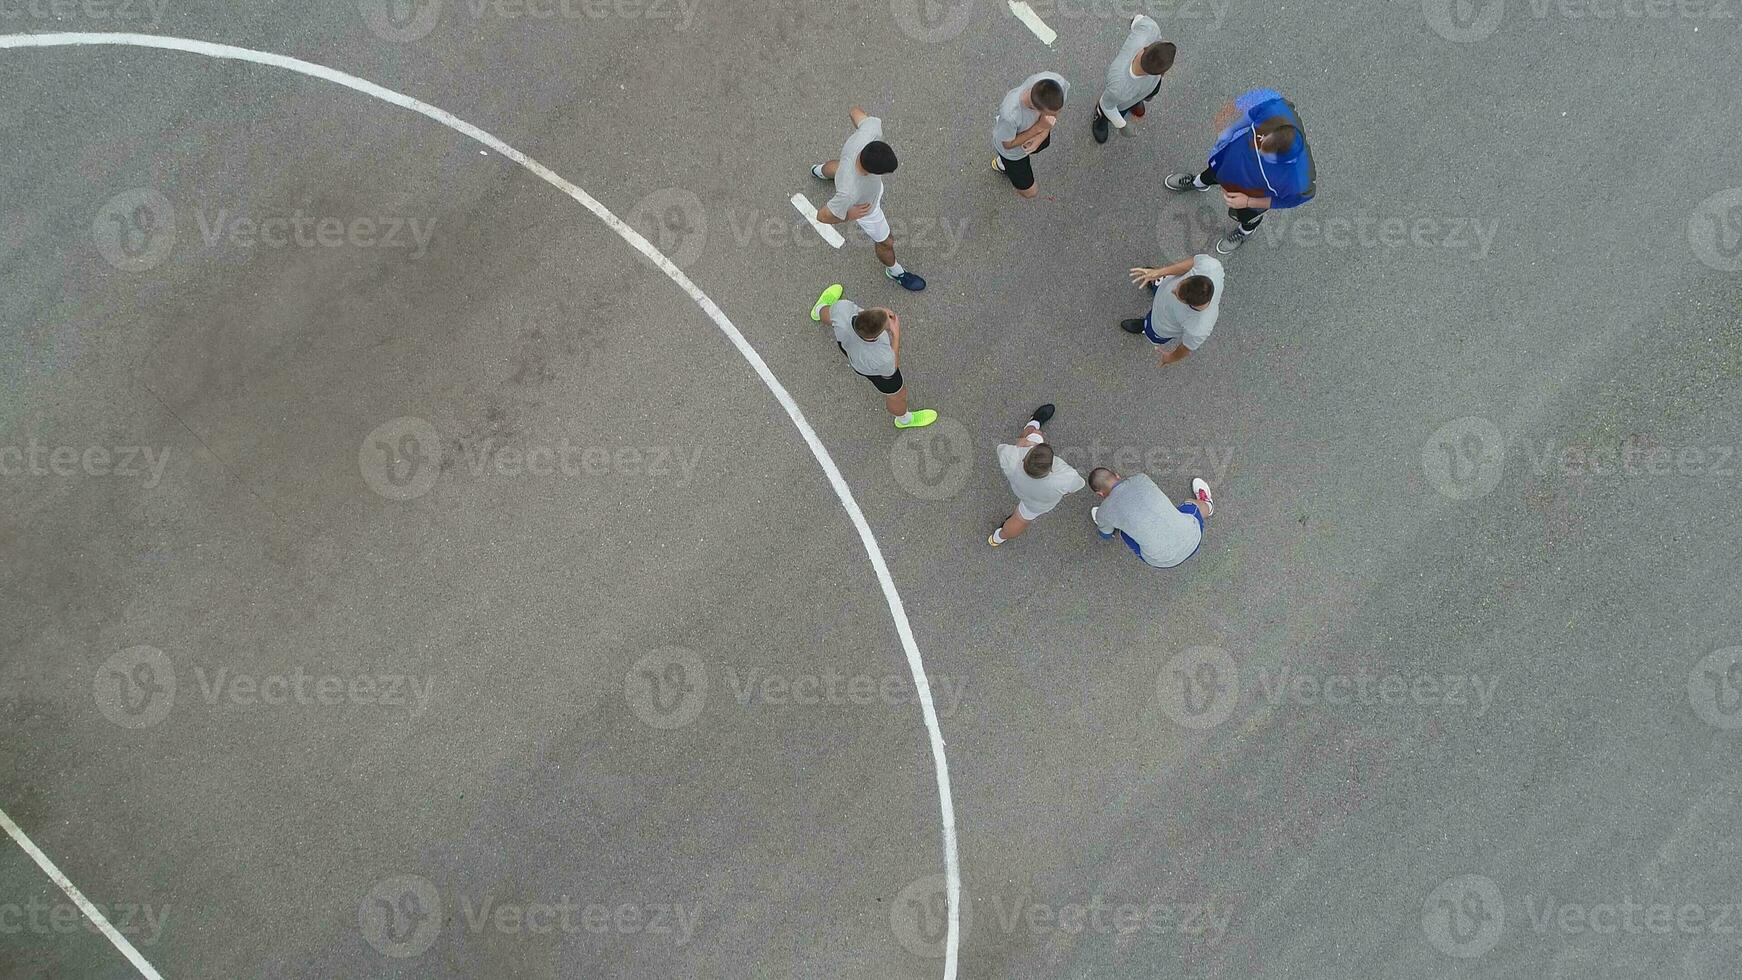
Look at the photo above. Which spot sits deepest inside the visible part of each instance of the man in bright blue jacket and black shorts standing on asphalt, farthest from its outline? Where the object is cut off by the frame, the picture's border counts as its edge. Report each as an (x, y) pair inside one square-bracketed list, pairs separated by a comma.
[(1262, 161)]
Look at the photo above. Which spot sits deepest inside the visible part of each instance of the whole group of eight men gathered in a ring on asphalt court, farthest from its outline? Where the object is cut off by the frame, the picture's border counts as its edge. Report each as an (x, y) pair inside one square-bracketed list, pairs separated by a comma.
[(1260, 163)]
